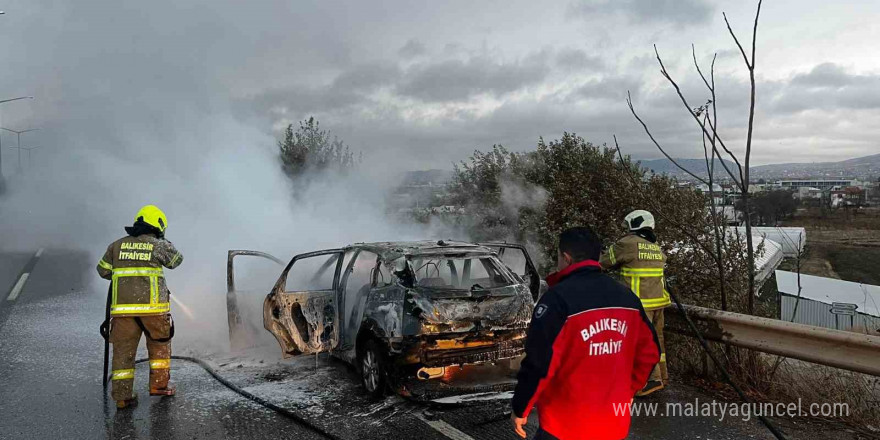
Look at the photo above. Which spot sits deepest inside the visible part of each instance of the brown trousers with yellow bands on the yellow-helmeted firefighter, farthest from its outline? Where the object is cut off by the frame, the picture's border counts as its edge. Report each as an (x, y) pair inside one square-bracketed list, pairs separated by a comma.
[(125, 335)]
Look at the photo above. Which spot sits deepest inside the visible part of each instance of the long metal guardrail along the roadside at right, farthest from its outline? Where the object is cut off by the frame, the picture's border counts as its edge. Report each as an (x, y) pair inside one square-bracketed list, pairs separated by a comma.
[(834, 348)]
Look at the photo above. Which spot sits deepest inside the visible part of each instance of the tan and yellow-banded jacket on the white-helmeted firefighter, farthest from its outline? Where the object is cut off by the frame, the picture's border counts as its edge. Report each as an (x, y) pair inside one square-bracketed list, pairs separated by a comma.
[(641, 264)]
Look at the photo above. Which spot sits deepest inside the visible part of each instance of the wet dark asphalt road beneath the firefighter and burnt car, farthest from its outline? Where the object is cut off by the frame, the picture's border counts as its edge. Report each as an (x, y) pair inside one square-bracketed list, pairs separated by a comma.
[(50, 387)]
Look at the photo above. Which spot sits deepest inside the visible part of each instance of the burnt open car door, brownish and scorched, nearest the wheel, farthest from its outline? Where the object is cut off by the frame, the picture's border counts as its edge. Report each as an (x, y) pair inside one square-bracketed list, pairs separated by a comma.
[(302, 312)]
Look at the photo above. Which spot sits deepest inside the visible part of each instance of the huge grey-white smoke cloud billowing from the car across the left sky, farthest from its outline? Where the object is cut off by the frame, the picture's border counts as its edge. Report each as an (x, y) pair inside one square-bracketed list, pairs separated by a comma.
[(135, 107)]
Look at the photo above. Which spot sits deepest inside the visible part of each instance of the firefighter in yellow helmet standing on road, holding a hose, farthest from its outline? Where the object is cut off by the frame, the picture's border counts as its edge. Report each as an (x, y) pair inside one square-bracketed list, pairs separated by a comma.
[(140, 303)]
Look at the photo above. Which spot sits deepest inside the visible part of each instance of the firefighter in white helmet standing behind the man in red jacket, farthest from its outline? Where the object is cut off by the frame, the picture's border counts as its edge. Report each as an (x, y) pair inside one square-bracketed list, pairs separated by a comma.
[(641, 263)]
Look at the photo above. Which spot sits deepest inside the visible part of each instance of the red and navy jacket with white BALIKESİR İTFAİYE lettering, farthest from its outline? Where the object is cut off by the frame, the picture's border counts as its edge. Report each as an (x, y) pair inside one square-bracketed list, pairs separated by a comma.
[(589, 348)]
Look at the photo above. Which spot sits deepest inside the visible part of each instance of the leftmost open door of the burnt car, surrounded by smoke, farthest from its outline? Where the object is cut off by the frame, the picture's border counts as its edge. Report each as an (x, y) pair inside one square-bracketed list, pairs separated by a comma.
[(241, 332)]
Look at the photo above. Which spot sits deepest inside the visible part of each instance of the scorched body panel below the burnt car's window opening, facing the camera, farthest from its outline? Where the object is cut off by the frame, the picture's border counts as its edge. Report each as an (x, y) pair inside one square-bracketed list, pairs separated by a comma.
[(495, 309)]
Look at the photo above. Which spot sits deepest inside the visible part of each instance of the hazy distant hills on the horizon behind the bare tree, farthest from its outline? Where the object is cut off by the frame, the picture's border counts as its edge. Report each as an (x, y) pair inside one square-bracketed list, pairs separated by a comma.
[(867, 167)]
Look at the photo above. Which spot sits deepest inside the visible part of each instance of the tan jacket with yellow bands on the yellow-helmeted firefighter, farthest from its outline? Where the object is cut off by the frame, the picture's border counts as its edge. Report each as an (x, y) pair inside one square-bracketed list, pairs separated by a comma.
[(134, 267)]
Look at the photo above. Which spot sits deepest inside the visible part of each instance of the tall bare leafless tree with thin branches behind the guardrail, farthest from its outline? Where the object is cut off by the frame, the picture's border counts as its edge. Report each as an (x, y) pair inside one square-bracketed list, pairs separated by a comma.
[(706, 117)]
